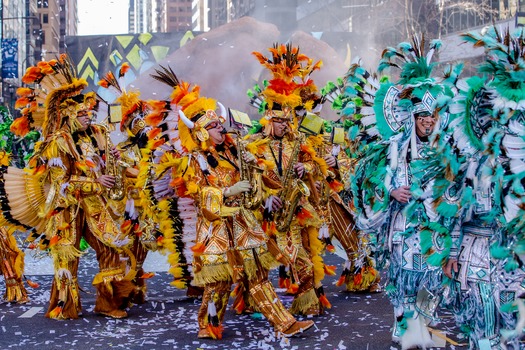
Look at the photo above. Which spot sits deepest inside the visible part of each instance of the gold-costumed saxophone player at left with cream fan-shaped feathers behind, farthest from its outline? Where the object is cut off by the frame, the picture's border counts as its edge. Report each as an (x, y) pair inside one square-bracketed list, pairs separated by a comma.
[(66, 186)]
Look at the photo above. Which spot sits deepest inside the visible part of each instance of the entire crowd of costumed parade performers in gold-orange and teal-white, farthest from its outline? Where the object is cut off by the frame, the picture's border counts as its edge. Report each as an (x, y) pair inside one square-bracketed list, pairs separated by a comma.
[(422, 178)]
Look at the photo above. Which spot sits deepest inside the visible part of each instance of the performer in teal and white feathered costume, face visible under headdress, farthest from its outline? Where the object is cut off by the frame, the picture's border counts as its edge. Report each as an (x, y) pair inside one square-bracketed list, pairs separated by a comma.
[(393, 198)]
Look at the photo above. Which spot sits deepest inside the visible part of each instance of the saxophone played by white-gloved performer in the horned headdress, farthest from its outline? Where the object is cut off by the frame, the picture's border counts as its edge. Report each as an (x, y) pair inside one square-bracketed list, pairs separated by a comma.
[(249, 172)]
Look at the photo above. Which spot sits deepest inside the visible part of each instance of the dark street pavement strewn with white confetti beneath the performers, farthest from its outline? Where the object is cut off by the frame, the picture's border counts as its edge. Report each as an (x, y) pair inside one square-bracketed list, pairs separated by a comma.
[(169, 320)]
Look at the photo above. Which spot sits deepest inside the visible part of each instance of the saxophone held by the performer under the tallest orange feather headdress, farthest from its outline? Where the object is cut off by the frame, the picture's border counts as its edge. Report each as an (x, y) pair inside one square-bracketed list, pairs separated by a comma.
[(293, 190)]
